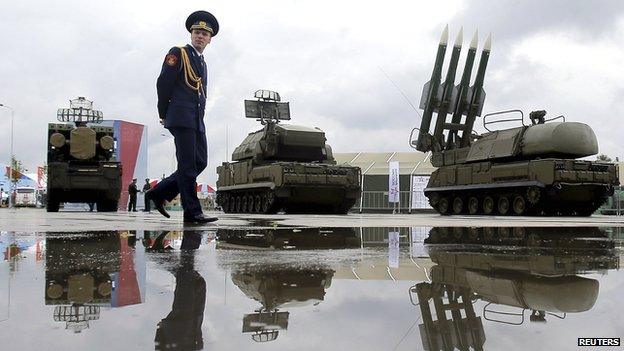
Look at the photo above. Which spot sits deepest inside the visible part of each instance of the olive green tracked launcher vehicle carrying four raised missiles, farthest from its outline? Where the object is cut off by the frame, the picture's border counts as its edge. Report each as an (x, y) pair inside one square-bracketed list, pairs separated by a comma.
[(532, 169)]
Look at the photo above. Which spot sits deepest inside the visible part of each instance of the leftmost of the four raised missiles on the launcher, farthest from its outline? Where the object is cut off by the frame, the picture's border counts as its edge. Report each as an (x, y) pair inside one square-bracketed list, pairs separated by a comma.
[(429, 96)]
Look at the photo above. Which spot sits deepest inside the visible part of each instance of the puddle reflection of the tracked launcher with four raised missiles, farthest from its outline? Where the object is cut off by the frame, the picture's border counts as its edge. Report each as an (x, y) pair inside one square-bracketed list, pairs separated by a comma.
[(532, 273)]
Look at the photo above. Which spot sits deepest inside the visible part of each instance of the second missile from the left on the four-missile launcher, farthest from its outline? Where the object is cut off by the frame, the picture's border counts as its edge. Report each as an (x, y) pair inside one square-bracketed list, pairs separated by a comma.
[(448, 88)]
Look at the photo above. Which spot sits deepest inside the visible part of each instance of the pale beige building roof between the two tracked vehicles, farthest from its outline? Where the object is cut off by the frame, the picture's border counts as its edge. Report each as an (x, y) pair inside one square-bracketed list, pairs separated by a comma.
[(376, 163)]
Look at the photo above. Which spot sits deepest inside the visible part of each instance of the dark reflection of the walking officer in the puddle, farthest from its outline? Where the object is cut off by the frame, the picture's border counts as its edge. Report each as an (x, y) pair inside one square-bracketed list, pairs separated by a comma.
[(181, 328)]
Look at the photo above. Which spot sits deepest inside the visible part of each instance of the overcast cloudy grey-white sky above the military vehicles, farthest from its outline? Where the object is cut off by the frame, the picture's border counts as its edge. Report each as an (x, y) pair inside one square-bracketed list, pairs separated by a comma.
[(328, 58)]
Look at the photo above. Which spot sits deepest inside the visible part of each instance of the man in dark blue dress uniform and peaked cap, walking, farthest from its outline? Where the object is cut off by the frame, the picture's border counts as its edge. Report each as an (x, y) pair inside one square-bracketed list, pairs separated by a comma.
[(182, 87)]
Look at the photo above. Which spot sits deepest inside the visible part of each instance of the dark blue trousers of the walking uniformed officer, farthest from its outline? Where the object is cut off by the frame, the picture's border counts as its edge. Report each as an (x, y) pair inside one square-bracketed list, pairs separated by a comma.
[(192, 155)]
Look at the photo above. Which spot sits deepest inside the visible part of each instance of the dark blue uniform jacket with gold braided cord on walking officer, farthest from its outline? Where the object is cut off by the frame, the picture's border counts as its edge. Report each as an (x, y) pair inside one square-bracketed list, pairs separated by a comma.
[(179, 105)]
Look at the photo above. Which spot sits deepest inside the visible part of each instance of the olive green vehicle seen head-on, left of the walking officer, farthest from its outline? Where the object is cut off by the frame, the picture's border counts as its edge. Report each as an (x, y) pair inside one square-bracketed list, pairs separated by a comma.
[(81, 159)]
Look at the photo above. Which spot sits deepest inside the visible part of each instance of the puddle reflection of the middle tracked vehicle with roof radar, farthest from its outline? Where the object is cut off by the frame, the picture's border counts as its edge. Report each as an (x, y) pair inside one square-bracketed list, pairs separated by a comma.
[(277, 286)]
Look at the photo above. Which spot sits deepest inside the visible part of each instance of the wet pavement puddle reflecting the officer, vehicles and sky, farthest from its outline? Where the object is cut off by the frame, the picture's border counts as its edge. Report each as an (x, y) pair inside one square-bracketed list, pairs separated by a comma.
[(270, 285)]
